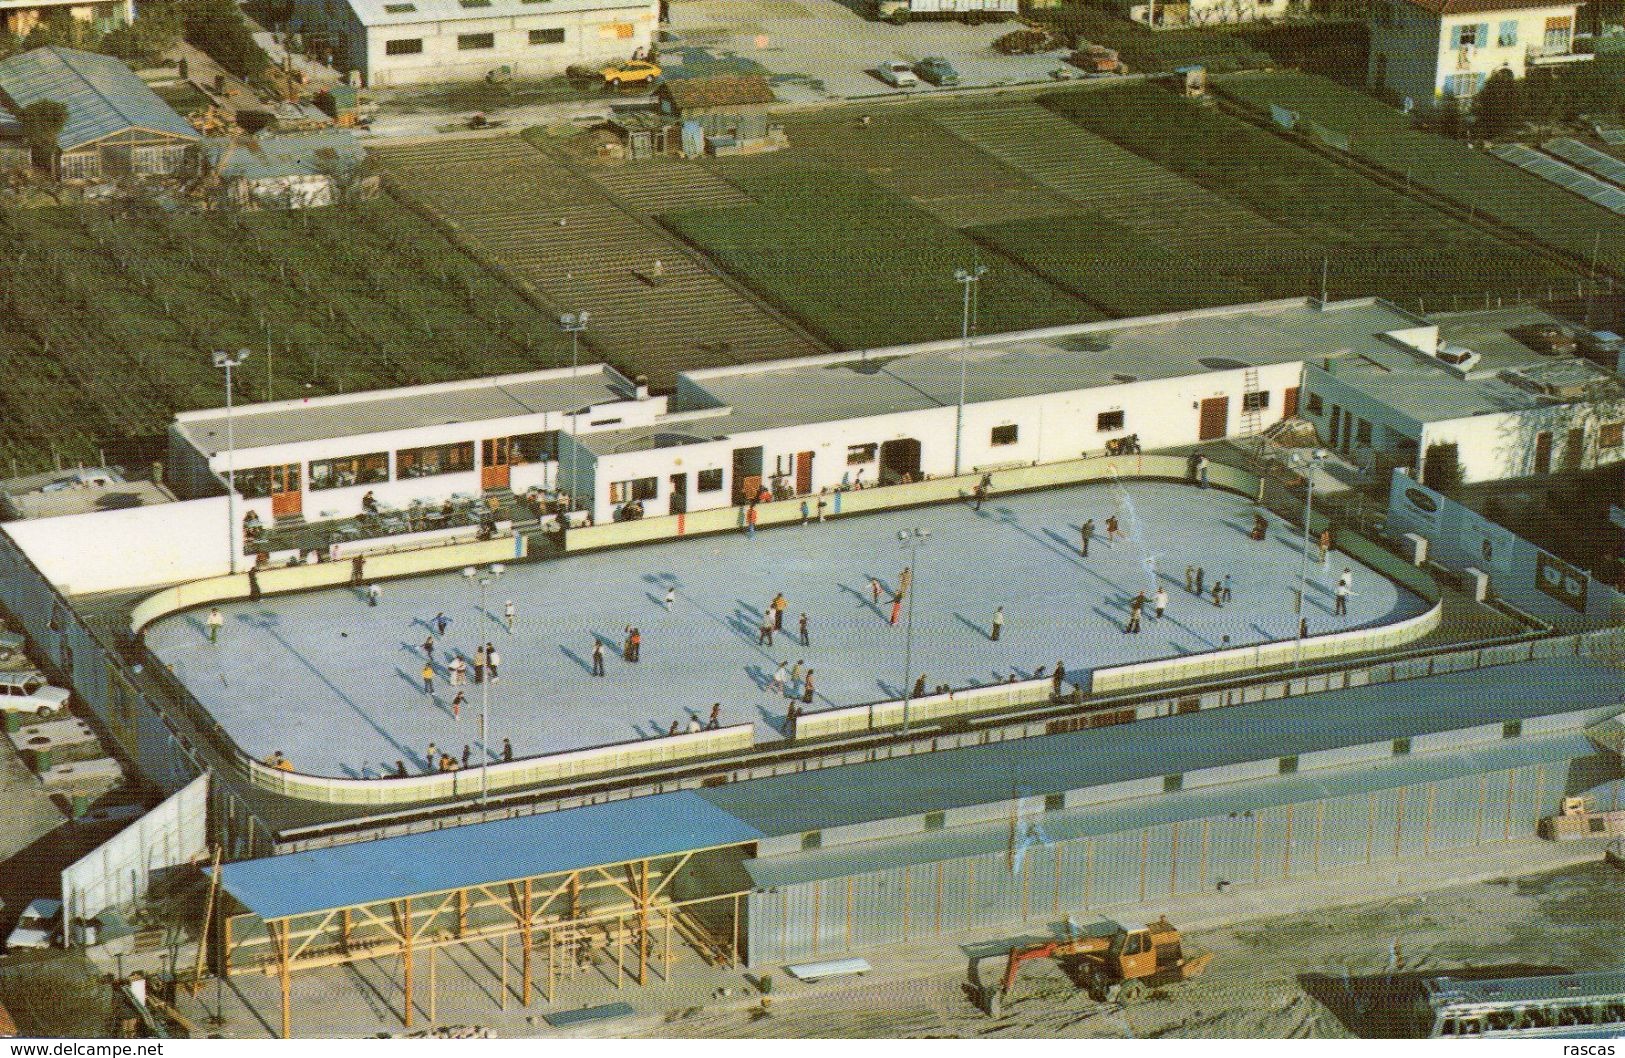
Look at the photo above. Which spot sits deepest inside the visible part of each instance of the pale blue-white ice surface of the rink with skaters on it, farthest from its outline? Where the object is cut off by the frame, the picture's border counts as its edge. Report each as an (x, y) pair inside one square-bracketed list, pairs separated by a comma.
[(337, 685)]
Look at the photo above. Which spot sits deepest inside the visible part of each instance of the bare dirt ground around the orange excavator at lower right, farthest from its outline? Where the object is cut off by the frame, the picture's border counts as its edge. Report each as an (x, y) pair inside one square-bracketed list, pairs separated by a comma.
[(1351, 973)]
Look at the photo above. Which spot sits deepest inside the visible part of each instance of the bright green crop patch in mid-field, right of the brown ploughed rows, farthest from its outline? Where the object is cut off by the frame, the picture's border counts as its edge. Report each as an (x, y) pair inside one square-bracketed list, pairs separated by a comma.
[(860, 266)]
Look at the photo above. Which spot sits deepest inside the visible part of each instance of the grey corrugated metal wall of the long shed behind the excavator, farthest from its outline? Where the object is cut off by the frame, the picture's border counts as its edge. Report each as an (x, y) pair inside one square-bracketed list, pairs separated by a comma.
[(1044, 883)]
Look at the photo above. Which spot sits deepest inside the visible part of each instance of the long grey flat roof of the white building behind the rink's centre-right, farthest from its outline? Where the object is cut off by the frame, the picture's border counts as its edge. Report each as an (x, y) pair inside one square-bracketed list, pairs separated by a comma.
[(854, 386)]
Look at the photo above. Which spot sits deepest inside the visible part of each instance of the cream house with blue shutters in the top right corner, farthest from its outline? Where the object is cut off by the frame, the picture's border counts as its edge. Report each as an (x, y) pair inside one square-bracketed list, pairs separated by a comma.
[(1431, 51)]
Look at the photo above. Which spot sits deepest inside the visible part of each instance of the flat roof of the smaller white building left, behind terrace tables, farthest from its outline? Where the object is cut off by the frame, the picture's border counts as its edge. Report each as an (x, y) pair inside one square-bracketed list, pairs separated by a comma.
[(378, 412)]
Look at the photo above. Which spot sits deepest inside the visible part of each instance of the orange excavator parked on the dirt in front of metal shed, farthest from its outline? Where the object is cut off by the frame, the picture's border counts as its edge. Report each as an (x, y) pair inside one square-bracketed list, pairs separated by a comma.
[(1116, 968)]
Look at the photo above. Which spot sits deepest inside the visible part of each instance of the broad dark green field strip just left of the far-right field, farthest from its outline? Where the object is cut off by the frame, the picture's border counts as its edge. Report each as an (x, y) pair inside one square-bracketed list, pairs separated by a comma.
[(1376, 240)]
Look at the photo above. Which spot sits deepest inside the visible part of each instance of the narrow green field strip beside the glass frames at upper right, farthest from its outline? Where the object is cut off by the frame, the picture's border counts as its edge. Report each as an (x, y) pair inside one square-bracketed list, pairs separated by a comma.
[(1452, 168)]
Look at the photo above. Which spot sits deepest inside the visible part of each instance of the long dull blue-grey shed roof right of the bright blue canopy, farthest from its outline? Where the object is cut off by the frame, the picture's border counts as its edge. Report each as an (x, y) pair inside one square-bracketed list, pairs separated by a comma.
[(1169, 745)]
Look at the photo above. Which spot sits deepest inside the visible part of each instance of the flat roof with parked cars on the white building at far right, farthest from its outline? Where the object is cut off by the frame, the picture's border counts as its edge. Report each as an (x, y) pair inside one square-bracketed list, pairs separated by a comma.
[(1431, 394)]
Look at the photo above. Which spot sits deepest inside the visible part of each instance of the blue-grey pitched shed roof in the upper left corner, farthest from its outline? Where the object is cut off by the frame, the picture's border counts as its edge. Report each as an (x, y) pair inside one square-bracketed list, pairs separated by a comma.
[(102, 93)]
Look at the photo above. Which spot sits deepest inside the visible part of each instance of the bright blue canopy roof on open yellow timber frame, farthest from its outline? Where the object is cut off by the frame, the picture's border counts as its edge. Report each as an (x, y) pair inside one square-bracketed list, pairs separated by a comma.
[(482, 854)]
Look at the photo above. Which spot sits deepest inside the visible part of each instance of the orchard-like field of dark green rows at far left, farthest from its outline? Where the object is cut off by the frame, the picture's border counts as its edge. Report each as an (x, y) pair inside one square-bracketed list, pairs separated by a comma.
[(111, 319)]
